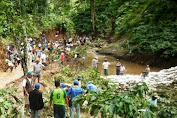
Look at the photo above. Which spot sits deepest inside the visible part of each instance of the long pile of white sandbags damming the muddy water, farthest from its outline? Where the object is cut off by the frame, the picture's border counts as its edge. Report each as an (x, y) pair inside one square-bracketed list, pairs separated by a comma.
[(165, 76)]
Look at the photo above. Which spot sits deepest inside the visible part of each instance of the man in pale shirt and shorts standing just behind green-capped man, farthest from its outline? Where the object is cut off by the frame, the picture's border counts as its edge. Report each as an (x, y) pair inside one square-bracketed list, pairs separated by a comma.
[(37, 70)]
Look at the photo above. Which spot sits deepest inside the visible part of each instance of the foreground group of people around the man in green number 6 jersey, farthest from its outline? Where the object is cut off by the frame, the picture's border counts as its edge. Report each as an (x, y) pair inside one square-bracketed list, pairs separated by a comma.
[(61, 97)]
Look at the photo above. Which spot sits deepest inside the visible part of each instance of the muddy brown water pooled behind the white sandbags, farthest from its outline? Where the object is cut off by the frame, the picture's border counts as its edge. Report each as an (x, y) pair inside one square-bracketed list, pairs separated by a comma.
[(131, 68)]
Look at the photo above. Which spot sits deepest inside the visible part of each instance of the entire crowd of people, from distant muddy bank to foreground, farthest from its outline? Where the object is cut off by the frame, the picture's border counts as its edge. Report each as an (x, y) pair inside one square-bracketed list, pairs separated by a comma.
[(62, 96)]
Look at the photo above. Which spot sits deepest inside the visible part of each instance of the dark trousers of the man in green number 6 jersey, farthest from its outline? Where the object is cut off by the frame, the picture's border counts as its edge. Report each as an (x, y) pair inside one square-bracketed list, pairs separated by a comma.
[(59, 111)]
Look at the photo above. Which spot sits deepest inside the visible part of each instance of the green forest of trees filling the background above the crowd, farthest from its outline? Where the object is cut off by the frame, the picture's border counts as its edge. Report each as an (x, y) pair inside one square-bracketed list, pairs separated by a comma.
[(139, 26)]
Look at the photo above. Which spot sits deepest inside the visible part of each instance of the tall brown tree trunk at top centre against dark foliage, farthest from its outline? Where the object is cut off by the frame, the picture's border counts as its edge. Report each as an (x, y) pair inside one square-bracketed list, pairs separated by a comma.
[(92, 8)]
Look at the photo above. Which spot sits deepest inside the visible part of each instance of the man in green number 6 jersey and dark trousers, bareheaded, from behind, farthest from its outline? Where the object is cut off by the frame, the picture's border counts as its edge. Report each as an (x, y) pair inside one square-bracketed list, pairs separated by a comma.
[(58, 97)]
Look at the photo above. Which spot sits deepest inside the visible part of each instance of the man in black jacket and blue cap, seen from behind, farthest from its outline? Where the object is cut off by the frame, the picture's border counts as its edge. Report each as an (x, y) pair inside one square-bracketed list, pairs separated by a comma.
[(36, 102)]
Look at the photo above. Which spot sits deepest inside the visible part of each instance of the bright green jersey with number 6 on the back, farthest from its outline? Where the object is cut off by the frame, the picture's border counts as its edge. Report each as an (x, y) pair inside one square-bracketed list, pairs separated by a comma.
[(58, 96)]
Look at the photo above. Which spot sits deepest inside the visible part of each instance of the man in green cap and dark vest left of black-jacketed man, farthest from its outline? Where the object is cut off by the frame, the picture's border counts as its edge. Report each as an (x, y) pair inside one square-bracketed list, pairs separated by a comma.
[(27, 88)]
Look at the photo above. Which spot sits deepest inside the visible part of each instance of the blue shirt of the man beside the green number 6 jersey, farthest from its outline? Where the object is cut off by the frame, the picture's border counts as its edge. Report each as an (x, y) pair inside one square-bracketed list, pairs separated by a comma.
[(74, 91)]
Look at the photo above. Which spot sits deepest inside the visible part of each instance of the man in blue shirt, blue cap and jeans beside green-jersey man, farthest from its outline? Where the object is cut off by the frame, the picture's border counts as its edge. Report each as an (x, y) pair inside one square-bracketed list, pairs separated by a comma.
[(72, 93)]
